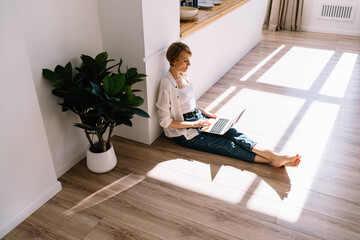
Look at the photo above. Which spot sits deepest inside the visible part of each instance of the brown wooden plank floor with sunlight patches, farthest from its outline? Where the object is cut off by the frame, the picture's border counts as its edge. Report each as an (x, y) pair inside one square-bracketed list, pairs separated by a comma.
[(302, 96)]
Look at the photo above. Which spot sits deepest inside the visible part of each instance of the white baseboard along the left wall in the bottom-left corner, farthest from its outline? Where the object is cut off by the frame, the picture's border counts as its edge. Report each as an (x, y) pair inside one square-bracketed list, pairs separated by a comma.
[(27, 211)]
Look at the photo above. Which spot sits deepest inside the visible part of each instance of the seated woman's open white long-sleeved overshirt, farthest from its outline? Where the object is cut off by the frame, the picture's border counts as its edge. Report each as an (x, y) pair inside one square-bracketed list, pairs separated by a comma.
[(169, 108)]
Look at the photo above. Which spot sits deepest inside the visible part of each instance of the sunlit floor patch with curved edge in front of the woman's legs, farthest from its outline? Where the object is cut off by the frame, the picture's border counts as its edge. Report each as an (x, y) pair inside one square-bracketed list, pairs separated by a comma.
[(225, 183)]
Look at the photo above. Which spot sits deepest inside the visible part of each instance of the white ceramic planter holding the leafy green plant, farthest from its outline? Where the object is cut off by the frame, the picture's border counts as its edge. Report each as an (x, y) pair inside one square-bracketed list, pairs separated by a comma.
[(101, 162)]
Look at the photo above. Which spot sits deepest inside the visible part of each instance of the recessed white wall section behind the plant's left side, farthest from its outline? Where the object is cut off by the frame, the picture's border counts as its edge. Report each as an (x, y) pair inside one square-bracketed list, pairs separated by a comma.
[(56, 32)]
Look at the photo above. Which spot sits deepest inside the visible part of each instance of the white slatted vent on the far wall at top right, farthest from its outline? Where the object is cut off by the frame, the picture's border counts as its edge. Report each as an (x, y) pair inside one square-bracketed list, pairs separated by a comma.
[(337, 11)]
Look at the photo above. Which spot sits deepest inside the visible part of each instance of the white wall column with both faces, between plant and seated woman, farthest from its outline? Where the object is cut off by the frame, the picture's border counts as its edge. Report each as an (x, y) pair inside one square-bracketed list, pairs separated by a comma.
[(136, 31)]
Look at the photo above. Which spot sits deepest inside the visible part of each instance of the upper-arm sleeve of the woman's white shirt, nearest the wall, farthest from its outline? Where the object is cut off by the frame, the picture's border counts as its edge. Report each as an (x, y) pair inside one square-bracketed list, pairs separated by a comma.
[(163, 104)]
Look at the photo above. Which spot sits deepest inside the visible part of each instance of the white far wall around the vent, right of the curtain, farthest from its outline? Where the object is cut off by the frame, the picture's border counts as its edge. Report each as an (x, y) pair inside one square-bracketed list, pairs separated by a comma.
[(312, 23)]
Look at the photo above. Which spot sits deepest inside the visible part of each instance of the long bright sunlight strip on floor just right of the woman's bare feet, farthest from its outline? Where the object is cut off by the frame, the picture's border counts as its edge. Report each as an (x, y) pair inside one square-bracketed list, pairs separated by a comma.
[(309, 139)]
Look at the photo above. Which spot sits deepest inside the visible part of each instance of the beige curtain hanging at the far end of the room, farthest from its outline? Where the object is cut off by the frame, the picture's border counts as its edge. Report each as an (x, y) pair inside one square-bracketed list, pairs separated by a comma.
[(283, 15)]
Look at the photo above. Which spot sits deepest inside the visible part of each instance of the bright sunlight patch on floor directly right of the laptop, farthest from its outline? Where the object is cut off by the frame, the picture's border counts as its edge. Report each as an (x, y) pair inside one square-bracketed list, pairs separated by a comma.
[(268, 116)]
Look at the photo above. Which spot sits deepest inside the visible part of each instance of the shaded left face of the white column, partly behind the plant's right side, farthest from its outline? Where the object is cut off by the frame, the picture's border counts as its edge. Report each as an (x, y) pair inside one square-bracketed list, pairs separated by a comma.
[(122, 34)]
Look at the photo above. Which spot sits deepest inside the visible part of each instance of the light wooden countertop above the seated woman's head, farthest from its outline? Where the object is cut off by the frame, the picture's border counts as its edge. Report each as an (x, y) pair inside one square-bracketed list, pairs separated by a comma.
[(206, 16)]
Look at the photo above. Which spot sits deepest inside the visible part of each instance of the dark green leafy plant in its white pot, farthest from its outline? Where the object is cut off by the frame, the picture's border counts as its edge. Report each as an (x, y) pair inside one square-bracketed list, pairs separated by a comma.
[(100, 97)]
